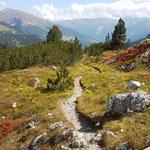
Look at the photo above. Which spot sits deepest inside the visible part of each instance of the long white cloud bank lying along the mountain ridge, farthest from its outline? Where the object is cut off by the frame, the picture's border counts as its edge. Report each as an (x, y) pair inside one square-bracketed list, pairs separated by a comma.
[(120, 8)]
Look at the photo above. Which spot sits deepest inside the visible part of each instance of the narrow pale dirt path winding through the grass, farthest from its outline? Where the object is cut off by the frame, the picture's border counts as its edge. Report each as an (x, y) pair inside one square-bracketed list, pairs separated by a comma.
[(81, 124)]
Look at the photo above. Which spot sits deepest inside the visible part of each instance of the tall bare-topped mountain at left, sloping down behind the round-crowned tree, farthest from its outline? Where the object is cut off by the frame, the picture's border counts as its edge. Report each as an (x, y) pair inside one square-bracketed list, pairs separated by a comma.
[(31, 24)]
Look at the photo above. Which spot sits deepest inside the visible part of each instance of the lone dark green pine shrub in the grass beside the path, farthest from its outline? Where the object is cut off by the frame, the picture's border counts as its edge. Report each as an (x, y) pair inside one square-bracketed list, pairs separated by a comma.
[(61, 82)]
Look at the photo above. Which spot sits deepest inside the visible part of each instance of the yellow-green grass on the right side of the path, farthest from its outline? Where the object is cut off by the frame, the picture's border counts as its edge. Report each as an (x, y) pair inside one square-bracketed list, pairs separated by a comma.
[(99, 87)]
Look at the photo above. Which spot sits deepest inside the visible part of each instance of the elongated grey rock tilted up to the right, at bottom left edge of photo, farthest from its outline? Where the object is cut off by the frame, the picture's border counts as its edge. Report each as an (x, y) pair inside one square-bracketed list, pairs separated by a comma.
[(37, 141)]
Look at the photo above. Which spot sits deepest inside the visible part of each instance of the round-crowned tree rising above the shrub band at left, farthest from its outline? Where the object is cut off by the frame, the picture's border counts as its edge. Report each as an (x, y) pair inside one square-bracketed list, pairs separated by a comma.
[(54, 34)]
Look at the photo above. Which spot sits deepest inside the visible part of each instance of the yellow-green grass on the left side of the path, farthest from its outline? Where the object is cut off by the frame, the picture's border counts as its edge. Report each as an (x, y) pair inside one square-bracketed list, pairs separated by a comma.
[(32, 104)]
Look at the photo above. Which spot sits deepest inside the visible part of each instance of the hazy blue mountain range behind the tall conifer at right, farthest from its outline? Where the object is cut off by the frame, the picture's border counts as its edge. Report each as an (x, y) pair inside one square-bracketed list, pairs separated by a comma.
[(98, 28)]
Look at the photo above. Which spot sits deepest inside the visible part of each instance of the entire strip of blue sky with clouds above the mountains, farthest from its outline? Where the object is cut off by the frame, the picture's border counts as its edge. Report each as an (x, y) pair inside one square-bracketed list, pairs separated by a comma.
[(74, 9)]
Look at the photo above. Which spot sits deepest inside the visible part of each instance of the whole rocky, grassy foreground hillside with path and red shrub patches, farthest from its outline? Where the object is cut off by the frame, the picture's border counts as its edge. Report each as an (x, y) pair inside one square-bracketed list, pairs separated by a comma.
[(32, 118)]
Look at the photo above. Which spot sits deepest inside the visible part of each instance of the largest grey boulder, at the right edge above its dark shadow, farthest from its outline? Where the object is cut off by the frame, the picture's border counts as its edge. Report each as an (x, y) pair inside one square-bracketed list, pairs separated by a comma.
[(129, 102)]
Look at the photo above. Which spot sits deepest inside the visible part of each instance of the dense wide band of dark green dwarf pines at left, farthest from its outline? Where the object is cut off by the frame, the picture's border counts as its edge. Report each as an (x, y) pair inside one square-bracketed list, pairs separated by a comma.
[(43, 53)]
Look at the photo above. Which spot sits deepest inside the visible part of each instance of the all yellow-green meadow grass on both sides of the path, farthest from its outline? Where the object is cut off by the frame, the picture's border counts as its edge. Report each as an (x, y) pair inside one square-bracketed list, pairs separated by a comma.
[(100, 81)]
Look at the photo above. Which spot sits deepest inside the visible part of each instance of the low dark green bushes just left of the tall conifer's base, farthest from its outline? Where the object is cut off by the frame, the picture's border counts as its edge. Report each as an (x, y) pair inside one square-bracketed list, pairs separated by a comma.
[(94, 49)]
